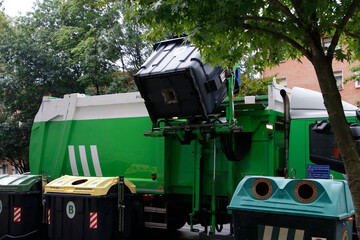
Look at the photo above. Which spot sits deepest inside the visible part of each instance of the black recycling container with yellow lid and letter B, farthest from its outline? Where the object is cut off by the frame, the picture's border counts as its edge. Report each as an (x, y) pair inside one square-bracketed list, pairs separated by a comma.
[(86, 208)]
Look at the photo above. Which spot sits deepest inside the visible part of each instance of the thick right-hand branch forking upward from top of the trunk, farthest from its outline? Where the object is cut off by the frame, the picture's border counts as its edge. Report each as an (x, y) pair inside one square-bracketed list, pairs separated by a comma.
[(335, 38)]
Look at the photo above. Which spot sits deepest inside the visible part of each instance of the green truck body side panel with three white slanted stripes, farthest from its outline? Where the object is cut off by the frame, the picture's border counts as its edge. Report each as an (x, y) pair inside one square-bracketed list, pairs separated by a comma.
[(121, 149)]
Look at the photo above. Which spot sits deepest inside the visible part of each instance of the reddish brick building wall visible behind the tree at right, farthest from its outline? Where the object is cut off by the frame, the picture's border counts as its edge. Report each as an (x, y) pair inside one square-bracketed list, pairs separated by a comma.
[(303, 75)]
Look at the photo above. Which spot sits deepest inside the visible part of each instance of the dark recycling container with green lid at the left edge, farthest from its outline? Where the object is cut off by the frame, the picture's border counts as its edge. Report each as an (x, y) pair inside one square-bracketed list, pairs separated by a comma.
[(20, 207)]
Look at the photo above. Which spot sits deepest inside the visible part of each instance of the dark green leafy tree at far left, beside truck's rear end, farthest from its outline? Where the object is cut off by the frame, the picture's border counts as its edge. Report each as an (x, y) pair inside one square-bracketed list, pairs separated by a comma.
[(30, 69)]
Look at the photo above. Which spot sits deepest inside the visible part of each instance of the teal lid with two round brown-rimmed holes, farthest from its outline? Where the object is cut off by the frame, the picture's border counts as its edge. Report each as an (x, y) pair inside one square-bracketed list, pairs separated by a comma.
[(318, 198)]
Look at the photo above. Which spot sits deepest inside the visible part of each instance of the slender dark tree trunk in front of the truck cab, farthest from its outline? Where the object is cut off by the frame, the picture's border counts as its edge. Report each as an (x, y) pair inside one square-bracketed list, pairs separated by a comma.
[(346, 142)]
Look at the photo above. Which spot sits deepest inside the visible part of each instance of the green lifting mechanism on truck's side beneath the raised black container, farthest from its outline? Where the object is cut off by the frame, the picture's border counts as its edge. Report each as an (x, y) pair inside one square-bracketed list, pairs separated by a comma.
[(206, 131)]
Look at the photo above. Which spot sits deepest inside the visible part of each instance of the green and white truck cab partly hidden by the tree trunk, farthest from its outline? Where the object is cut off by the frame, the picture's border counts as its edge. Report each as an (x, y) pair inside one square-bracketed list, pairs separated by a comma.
[(312, 140)]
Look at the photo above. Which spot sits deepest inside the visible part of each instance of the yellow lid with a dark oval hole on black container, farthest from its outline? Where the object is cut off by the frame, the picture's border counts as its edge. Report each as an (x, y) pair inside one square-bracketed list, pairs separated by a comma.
[(94, 186)]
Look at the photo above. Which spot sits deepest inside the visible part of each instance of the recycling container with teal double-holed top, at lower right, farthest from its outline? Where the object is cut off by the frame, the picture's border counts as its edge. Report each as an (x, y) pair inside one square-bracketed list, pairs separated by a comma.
[(278, 208)]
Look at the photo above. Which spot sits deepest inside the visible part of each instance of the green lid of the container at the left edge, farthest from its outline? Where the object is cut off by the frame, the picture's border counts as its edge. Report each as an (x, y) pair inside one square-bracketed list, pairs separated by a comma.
[(18, 183)]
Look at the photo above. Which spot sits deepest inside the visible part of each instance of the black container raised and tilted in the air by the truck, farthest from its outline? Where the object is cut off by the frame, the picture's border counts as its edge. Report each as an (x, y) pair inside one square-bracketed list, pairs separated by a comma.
[(174, 82)]
